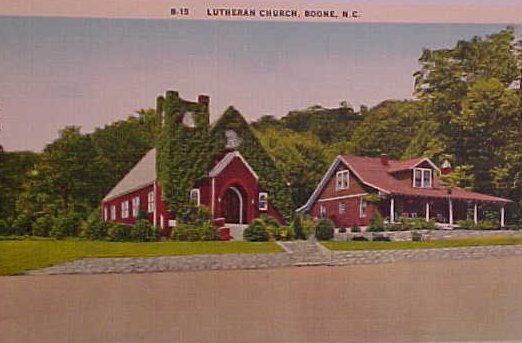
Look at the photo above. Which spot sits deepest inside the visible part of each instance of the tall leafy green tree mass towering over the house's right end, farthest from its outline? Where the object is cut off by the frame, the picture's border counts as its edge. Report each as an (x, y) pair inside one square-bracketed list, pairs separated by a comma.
[(470, 91)]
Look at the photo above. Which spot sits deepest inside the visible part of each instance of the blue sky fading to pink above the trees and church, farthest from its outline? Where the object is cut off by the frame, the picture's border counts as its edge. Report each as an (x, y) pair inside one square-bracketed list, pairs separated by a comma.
[(90, 72)]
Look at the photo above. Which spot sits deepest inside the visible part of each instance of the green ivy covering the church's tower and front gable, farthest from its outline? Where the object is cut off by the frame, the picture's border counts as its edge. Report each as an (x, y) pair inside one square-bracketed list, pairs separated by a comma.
[(185, 152)]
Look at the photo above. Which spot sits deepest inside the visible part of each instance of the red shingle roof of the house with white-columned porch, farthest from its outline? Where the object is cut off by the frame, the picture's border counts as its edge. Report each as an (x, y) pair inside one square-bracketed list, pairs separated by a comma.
[(372, 172)]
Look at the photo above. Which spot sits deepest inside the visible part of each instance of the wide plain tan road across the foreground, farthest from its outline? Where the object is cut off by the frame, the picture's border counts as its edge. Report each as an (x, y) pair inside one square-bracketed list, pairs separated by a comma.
[(466, 300)]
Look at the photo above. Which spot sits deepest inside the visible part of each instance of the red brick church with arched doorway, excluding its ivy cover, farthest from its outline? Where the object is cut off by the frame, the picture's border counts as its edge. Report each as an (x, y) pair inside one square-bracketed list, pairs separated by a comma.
[(230, 188)]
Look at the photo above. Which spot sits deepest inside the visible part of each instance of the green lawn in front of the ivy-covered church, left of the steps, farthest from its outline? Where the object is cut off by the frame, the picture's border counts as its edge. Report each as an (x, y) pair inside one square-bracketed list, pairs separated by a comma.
[(17, 256)]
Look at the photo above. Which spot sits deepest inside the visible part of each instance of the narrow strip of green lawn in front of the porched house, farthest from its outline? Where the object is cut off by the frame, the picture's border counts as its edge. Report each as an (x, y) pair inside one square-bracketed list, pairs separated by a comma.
[(446, 243)]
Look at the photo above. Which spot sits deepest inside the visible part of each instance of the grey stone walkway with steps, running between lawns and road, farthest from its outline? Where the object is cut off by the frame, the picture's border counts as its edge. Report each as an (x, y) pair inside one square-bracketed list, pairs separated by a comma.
[(297, 253)]
